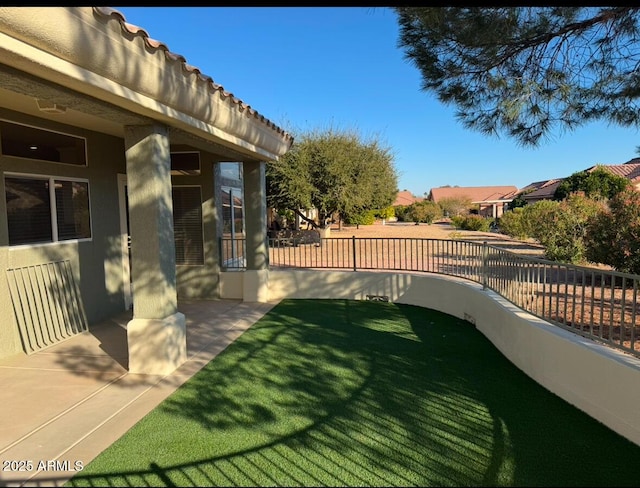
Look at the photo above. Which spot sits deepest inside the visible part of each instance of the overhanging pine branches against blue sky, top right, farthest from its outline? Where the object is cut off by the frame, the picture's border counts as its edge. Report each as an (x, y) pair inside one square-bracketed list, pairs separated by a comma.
[(525, 71)]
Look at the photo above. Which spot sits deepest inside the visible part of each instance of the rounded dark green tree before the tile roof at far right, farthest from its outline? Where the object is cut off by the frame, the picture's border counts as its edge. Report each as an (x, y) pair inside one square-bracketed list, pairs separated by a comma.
[(599, 184)]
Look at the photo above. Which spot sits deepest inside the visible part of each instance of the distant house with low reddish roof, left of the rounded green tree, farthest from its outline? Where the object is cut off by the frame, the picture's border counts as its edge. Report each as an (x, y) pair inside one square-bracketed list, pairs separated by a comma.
[(491, 200)]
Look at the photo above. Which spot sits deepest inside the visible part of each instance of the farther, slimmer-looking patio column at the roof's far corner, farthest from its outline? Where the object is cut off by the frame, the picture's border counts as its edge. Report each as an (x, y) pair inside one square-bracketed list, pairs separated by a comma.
[(256, 276)]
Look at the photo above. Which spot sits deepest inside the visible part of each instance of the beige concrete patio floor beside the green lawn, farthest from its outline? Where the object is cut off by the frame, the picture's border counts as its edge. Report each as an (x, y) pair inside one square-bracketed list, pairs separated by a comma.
[(62, 406)]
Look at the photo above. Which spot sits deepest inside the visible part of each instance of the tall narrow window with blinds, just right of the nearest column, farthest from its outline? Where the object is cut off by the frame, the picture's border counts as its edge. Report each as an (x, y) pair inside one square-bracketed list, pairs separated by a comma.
[(187, 225)]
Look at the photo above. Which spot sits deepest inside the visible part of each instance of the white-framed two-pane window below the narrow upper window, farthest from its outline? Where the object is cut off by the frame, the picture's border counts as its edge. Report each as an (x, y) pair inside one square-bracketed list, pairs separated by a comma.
[(46, 209)]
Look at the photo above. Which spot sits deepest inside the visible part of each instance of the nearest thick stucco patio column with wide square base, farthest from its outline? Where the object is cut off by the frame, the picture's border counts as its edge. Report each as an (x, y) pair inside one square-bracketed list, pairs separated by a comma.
[(157, 333)]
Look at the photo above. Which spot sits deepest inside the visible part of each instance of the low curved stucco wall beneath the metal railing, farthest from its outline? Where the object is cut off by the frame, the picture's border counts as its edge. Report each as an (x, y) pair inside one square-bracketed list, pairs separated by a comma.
[(602, 382)]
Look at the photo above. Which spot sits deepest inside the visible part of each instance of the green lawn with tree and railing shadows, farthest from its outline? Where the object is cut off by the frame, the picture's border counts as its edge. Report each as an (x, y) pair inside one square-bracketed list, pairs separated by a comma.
[(354, 393)]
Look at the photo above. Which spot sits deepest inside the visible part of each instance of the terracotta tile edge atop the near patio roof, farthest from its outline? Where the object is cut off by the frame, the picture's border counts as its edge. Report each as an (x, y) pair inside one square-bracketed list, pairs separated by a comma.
[(155, 45)]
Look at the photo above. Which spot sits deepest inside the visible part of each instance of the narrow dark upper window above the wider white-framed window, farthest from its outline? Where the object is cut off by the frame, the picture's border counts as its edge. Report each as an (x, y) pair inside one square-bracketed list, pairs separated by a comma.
[(24, 141)]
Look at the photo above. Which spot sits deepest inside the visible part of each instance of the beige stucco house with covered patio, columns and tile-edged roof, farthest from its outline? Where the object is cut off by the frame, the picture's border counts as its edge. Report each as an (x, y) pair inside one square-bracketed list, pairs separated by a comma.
[(121, 166)]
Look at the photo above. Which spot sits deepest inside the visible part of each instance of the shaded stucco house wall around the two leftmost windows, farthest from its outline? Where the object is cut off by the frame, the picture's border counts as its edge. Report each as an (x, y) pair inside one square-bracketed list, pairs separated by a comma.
[(96, 263)]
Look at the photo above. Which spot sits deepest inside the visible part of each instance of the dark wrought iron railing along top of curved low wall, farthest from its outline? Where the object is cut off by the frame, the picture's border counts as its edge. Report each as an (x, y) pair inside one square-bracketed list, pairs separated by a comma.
[(594, 303)]
